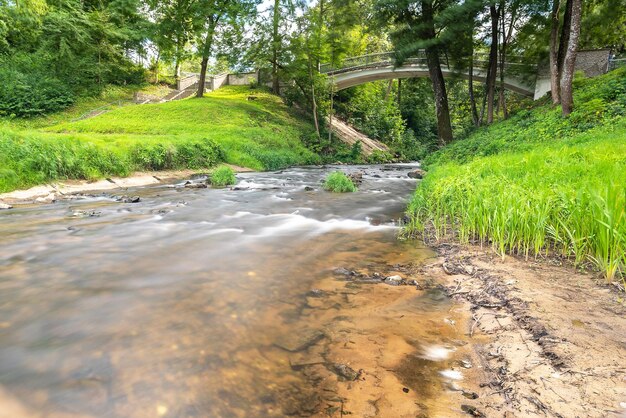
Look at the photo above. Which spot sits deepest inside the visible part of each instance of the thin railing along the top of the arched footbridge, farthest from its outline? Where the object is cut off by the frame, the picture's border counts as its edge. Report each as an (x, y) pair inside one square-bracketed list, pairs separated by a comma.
[(514, 65)]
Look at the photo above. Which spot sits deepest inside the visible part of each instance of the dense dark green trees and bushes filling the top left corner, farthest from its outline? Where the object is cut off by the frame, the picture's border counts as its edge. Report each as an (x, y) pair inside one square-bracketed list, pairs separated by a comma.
[(52, 52)]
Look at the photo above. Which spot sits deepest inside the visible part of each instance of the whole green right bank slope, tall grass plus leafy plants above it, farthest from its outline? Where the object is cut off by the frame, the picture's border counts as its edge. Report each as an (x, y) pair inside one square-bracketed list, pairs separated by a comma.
[(538, 182)]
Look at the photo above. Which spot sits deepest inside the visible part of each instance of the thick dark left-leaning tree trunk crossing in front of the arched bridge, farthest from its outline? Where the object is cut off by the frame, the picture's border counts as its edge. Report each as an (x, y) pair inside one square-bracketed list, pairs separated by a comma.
[(444, 127)]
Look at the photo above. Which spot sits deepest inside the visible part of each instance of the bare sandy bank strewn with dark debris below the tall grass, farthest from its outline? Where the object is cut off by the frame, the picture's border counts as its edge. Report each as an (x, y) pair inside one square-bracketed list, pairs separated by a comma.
[(552, 340)]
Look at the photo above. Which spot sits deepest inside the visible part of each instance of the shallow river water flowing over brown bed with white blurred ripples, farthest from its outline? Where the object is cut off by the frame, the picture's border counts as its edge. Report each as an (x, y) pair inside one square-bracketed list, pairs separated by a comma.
[(223, 303)]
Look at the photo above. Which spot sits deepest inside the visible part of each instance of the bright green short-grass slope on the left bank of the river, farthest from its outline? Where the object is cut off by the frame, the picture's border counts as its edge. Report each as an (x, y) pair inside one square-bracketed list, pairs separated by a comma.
[(192, 133)]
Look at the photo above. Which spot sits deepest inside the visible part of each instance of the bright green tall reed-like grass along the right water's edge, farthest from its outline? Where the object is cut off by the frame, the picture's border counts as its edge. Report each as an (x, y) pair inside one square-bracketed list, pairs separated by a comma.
[(567, 199)]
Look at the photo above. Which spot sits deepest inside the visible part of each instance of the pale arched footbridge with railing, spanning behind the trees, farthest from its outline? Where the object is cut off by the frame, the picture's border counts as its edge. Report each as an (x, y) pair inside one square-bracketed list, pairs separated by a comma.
[(519, 76)]
